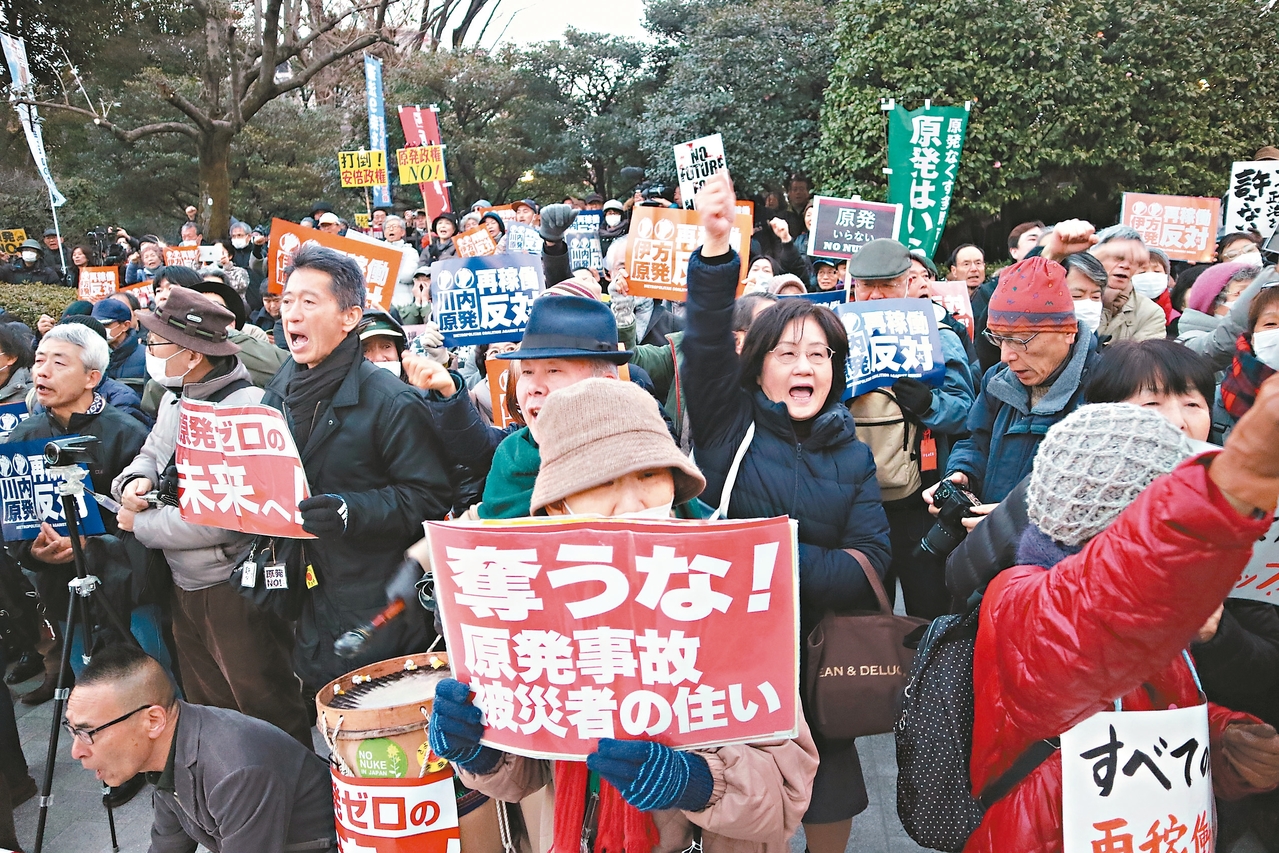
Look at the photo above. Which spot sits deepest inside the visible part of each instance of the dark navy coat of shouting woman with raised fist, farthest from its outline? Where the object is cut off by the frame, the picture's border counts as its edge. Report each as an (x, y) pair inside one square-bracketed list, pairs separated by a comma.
[(827, 481)]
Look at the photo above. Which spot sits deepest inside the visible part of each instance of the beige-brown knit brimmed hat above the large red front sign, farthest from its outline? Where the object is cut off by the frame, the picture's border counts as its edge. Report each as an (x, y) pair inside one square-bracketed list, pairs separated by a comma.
[(602, 429)]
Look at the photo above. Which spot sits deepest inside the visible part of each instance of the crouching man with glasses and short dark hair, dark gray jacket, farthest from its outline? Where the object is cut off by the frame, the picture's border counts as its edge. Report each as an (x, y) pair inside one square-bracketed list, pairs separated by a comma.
[(223, 781)]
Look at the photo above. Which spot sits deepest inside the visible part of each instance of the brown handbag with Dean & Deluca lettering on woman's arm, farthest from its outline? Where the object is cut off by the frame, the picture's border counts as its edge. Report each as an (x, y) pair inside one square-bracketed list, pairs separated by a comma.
[(859, 664)]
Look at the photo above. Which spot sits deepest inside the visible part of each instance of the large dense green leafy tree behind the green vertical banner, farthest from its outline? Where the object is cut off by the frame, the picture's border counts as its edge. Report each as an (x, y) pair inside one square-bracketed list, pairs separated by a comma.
[(1074, 103)]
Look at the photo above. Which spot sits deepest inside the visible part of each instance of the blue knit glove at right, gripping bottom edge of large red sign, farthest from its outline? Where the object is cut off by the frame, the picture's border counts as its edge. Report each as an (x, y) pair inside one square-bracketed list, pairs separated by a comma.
[(652, 777)]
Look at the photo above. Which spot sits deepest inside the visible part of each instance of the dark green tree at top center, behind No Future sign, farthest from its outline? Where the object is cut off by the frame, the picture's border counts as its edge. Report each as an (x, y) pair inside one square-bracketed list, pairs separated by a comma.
[(750, 70)]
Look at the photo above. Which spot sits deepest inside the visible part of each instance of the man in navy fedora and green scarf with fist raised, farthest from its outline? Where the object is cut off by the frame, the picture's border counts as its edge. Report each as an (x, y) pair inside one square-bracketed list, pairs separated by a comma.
[(567, 340)]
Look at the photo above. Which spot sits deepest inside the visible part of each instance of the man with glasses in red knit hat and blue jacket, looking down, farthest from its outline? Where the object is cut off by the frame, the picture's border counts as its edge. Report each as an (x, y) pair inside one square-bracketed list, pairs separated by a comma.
[(1044, 363)]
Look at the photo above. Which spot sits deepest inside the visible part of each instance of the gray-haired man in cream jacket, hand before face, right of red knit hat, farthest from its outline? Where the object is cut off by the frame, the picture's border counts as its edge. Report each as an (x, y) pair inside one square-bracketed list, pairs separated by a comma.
[(1126, 315)]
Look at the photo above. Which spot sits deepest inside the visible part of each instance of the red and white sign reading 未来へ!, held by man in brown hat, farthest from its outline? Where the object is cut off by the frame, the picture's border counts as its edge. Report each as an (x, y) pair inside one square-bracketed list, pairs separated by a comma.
[(239, 469)]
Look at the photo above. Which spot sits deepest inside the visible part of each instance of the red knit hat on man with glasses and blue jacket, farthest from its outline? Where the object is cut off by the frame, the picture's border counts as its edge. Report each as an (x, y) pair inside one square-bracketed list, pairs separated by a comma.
[(1032, 297)]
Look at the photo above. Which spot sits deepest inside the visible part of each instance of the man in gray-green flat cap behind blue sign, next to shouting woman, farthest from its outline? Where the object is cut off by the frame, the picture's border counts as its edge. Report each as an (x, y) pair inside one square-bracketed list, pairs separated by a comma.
[(909, 429)]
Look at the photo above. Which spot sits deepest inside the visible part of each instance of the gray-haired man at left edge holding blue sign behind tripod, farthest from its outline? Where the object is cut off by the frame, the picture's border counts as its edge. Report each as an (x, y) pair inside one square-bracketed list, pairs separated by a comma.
[(70, 365)]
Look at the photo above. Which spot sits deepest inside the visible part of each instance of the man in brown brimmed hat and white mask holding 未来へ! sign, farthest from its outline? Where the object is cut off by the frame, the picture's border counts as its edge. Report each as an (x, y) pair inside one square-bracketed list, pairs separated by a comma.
[(232, 654)]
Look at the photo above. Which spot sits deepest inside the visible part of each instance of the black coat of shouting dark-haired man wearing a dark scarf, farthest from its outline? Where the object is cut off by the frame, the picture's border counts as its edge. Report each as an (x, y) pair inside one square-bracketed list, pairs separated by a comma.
[(374, 446)]
